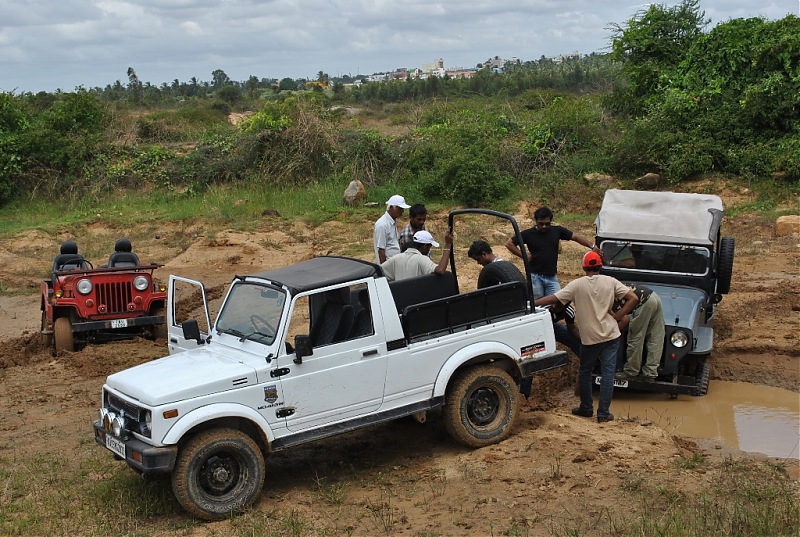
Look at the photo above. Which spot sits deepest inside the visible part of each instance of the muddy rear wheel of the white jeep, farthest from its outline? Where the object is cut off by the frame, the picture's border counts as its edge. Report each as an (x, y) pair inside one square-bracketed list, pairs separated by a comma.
[(481, 406)]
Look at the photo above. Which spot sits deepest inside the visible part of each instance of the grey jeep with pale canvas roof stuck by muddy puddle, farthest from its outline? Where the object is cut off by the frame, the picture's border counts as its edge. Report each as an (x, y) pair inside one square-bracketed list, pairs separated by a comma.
[(670, 242)]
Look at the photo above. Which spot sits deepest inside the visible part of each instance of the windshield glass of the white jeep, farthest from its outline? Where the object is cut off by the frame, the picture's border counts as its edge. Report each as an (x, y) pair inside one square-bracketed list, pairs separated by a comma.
[(252, 312)]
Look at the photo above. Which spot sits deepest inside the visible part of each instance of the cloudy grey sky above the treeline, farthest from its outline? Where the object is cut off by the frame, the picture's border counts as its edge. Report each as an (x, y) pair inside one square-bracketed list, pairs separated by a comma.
[(46, 45)]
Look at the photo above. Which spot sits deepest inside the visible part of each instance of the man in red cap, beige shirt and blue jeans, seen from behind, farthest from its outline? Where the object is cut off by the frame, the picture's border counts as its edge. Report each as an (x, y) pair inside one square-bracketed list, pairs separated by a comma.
[(594, 295)]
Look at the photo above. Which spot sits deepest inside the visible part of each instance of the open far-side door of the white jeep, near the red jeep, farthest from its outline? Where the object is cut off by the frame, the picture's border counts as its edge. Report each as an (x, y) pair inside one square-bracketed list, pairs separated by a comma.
[(186, 300)]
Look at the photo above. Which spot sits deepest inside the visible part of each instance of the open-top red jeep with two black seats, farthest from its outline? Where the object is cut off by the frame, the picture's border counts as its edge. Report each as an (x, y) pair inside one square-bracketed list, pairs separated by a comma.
[(83, 304)]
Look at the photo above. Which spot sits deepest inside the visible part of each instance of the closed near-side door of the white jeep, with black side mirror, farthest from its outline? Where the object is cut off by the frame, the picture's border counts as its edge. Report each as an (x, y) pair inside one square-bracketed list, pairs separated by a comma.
[(341, 379)]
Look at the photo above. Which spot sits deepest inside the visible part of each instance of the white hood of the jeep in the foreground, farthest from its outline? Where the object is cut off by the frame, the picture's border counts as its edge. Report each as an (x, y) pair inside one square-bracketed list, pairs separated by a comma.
[(182, 376)]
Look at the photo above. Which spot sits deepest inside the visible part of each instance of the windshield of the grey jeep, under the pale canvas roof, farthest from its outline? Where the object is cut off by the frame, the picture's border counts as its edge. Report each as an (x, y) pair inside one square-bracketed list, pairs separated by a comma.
[(653, 257)]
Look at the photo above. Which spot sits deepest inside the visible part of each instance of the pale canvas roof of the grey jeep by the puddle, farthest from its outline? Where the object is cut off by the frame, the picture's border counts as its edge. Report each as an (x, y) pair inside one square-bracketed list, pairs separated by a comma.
[(671, 217)]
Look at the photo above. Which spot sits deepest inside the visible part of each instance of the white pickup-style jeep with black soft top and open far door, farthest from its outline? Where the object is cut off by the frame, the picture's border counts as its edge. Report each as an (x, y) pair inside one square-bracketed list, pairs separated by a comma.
[(312, 350)]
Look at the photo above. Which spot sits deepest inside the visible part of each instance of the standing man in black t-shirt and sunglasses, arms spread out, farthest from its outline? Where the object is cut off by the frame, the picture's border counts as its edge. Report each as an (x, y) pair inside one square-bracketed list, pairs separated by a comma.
[(542, 242)]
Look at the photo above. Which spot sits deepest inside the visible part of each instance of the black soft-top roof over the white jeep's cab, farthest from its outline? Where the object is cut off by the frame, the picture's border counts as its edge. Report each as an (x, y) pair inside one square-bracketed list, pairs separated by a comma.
[(321, 272)]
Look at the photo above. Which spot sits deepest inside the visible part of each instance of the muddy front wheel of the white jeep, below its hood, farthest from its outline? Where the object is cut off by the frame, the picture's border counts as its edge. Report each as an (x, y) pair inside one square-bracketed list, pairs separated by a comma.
[(218, 472)]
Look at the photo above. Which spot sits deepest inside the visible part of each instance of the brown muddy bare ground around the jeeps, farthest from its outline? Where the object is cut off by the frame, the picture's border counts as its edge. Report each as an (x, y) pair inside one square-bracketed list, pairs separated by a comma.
[(555, 471)]
